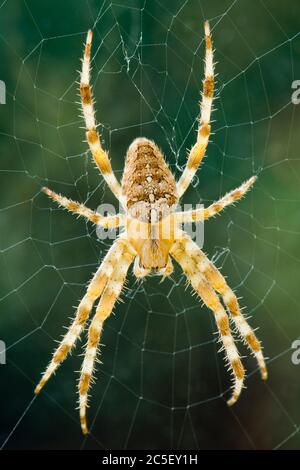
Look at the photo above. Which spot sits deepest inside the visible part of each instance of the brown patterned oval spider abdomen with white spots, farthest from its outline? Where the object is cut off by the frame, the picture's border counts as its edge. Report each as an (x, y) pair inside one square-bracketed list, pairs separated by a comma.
[(148, 184)]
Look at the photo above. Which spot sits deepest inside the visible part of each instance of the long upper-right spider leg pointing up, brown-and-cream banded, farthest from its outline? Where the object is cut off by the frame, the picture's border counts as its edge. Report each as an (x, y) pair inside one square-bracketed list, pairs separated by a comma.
[(198, 150)]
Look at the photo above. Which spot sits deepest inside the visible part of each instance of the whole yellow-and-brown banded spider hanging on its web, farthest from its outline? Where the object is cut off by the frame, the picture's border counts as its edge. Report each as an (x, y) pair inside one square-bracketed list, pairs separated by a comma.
[(152, 235)]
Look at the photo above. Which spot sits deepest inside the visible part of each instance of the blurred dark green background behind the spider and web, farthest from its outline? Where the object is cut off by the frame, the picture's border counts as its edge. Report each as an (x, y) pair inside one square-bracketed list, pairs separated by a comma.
[(162, 384)]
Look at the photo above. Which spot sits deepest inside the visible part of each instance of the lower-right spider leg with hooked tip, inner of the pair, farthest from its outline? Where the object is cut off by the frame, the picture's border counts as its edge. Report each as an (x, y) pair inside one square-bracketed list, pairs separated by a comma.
[(181, 254)]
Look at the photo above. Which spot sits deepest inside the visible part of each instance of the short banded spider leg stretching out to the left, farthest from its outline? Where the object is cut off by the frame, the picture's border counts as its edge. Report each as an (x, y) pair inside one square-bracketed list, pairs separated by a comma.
[(109, 222)]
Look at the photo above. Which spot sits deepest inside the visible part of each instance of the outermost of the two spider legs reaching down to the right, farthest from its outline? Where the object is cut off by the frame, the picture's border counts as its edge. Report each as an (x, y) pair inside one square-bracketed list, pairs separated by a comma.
[(217, 281)]
